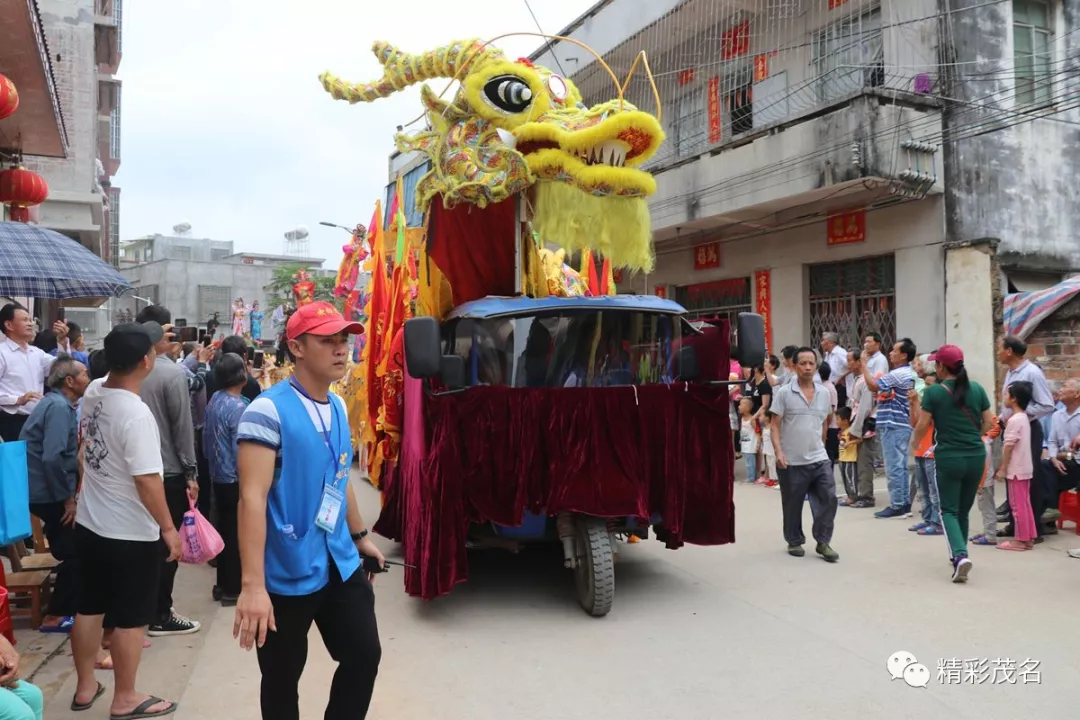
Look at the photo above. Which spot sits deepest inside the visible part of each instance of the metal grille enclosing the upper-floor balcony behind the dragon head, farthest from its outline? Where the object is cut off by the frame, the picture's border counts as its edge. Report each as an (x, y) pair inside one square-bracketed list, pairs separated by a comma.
[(725, 69)]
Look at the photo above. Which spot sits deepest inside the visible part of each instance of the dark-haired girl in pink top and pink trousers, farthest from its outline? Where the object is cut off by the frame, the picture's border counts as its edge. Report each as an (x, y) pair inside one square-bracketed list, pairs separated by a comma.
[(1017, 467)]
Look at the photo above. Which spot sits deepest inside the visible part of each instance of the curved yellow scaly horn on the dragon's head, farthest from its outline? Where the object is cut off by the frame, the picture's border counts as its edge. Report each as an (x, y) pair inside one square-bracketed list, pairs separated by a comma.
[(402, 70)]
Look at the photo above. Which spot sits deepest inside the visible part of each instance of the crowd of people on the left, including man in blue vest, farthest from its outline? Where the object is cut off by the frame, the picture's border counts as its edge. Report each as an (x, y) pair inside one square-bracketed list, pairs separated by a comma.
[(124, 442)]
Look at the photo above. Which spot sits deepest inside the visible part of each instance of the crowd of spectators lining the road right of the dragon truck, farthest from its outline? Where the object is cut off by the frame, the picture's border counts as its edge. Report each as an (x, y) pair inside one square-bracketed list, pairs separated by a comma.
[(808, 417)]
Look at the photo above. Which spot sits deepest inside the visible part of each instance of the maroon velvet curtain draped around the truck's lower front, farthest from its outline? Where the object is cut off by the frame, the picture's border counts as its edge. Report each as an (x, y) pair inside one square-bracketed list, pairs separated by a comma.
[(603, 452)]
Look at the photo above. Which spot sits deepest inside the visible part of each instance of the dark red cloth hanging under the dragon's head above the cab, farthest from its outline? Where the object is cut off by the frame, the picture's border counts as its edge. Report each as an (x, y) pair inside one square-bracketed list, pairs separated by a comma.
[(474, 248)]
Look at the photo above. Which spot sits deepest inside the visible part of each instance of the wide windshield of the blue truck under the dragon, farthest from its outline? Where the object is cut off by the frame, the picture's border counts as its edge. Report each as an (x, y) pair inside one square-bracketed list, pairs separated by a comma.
[(573, 349)]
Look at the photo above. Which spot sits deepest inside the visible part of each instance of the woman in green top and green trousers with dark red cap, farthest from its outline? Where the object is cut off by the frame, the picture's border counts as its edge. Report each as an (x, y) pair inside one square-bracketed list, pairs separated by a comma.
[(961, 412)]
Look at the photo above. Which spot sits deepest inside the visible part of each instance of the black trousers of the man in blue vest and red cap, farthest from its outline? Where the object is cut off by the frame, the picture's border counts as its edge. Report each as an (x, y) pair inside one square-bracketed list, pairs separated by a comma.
[(344, 612)]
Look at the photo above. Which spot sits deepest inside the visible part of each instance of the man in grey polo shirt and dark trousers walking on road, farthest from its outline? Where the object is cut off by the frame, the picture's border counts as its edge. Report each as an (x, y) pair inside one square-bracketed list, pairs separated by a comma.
[(801, 419)]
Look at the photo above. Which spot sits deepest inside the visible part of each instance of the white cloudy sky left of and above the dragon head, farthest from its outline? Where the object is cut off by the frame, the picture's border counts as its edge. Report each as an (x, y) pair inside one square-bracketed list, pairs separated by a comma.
[(226, 127)]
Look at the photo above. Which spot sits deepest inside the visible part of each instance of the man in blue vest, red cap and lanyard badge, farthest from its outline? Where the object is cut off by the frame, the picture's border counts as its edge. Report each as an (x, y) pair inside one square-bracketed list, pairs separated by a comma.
[(302, 536)]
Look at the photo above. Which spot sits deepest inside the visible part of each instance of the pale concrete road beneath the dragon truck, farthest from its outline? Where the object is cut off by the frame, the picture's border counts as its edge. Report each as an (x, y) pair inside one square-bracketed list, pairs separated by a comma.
[(704, 633)]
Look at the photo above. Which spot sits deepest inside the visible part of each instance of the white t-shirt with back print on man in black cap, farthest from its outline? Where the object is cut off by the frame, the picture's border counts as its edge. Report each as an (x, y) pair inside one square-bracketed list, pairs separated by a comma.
[(120, 441)]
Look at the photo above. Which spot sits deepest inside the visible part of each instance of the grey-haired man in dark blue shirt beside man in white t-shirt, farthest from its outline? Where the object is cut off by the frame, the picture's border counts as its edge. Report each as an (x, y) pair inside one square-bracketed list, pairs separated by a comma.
[(52, 453)]
